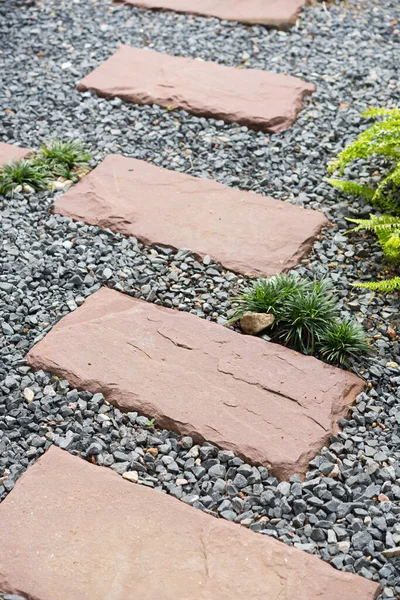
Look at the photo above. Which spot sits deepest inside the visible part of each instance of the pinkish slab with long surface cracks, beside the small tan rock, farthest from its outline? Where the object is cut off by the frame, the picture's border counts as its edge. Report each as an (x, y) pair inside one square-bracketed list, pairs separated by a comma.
[(265, 402)]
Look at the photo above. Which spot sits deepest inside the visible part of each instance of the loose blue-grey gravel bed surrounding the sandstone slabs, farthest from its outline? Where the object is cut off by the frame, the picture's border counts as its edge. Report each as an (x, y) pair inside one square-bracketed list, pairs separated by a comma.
[(347, 509)]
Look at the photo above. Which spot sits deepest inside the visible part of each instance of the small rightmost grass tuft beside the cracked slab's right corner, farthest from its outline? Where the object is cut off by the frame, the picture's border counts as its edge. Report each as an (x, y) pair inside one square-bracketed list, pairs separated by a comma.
[(342, 341)]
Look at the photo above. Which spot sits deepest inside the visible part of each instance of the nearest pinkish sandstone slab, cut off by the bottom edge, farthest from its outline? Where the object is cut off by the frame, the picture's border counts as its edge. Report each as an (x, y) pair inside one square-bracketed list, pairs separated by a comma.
[(72, 531)]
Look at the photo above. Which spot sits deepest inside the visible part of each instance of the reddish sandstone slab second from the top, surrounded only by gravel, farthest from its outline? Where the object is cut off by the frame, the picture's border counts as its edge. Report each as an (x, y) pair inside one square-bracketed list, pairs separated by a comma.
[(252, 97)]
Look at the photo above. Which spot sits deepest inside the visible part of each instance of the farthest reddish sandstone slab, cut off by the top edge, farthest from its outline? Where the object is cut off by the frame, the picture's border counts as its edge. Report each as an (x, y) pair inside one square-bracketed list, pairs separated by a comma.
[(273, 13)]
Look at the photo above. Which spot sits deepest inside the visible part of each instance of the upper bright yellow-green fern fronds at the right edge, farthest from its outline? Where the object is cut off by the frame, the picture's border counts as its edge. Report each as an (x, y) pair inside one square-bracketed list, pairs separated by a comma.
[(381, 139)]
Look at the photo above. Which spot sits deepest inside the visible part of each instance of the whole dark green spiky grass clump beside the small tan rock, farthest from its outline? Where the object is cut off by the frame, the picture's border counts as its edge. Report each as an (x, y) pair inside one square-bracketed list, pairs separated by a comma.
[(306, 317)]
